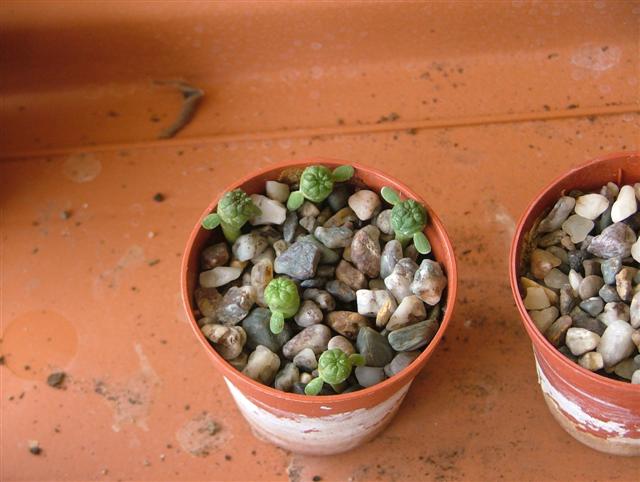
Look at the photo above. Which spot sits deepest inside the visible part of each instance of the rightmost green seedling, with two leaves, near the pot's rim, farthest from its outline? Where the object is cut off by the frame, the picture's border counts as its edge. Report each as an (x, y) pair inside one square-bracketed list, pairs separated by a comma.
[(408, 219)]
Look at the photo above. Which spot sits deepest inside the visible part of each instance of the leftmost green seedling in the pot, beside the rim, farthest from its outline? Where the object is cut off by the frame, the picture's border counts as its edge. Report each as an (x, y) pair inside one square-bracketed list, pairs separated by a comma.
[(234, 210)]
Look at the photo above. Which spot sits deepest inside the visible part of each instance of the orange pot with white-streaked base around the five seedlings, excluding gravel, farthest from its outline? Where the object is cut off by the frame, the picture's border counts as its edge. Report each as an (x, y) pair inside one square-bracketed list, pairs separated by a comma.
[(321, 424)]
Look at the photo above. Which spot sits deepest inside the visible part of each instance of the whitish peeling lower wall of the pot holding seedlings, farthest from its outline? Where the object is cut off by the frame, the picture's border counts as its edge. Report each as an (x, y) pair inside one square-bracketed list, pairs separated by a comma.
[(324, 435)]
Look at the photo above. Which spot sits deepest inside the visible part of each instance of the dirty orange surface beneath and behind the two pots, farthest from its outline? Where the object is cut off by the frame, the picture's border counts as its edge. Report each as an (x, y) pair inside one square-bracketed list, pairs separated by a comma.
[(289, 80)]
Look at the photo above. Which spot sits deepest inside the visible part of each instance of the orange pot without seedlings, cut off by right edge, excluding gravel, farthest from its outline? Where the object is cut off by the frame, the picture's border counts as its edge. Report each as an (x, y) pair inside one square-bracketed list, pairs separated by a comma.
[(600, 412)]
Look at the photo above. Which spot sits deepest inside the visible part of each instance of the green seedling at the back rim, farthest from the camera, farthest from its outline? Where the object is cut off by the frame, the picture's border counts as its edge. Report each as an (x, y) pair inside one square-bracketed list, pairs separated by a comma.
[(316, 183)]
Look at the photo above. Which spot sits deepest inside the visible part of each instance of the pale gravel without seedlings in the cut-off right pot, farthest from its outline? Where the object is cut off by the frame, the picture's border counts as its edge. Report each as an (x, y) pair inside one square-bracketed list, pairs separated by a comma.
[(582, 289)]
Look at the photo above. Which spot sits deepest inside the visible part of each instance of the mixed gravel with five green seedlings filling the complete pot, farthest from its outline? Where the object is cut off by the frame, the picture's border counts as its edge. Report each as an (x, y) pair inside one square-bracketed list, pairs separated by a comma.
[(320, 285)]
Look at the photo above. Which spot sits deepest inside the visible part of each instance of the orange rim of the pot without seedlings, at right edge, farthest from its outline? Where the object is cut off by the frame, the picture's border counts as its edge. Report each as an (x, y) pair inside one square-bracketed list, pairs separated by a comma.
[(532, 330)]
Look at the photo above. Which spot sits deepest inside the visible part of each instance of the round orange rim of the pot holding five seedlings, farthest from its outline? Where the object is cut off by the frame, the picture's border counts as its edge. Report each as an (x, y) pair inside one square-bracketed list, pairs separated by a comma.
[(402, 378)]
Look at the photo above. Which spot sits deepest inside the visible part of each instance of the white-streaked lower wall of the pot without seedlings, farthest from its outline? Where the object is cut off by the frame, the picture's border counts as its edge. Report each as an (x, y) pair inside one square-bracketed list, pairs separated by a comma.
[(577, 422)]
